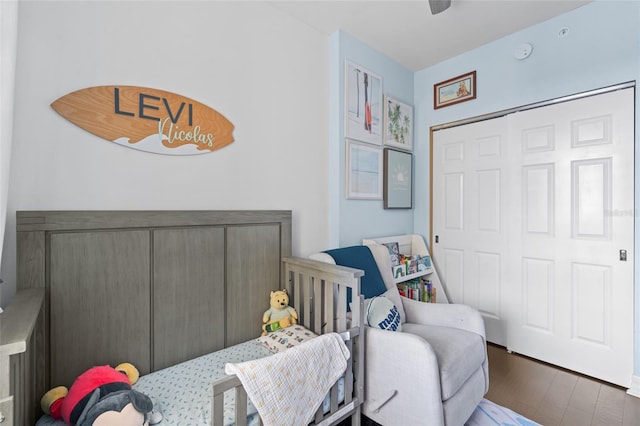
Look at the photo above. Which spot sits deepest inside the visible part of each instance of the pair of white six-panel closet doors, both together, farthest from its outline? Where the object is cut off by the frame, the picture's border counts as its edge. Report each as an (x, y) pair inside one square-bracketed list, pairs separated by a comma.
[(533, 214)]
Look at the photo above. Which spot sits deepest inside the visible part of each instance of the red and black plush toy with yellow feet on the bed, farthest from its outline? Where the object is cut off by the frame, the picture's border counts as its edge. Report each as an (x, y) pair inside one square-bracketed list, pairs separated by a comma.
[(101, 396)]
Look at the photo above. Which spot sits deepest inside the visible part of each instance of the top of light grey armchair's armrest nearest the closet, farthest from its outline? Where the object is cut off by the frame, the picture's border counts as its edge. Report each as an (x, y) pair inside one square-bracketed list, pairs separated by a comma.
[(448, 315)]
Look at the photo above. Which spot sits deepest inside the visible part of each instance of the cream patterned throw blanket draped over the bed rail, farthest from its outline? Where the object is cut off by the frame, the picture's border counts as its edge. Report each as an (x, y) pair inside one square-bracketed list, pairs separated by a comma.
[(287, 388)]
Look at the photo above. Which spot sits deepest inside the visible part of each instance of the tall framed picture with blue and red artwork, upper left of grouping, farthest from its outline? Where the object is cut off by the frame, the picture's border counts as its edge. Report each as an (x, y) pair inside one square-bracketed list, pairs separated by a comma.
[(363, 104)]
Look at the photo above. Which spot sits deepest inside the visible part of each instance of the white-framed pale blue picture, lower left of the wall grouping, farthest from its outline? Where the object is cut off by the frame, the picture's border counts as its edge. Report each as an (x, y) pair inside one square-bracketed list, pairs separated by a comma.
[(364, 171)]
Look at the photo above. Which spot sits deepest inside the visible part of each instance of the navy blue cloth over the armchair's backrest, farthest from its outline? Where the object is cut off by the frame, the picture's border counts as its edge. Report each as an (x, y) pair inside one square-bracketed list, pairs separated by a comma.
[(360, 257)]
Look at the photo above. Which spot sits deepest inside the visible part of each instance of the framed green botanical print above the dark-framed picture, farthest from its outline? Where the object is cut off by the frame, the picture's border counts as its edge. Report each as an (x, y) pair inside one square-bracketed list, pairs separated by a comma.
[(398, 124)]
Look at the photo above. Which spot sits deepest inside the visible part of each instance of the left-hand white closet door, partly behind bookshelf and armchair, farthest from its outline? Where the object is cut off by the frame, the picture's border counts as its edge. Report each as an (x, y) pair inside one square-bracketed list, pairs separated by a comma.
[(470, 216)]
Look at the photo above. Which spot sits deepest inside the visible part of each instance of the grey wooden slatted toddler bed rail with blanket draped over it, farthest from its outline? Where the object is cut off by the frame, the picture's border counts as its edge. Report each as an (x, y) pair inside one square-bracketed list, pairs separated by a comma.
[(321, 294)]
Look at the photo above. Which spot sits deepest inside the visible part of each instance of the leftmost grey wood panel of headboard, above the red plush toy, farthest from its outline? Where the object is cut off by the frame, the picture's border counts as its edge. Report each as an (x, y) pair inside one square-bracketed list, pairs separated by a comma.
[(98, 278)]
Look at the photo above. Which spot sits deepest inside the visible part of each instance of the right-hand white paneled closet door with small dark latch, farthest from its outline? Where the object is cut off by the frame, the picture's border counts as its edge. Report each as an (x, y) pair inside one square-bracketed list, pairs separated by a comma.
[(573, 248)]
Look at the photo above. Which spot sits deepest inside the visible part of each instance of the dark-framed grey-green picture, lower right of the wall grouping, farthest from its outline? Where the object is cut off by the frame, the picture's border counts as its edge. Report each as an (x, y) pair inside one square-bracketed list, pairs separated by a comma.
[(397, 179)]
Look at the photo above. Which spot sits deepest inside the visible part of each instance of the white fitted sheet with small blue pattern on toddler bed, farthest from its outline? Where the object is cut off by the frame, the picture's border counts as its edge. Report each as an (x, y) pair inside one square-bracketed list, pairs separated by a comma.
[(183, 392)]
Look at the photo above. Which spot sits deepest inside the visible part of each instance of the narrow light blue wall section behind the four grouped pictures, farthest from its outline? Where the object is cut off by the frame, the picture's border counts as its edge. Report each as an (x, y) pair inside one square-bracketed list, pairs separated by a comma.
[(352, 220)]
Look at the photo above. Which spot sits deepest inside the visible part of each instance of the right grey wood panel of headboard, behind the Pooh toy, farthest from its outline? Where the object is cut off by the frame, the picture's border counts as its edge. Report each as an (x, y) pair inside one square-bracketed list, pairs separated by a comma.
[(253, 271)]
